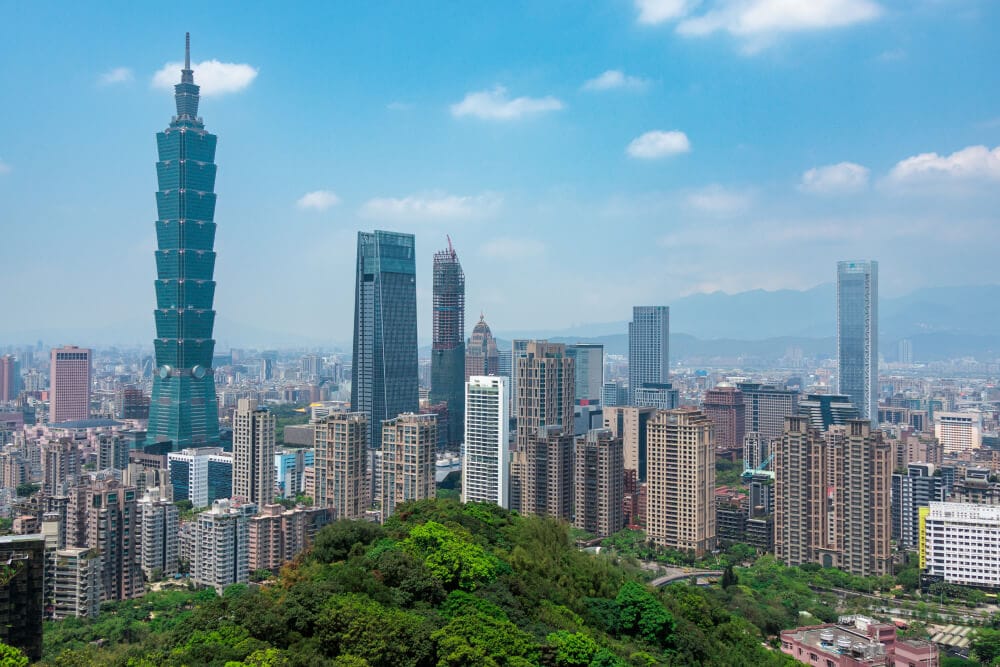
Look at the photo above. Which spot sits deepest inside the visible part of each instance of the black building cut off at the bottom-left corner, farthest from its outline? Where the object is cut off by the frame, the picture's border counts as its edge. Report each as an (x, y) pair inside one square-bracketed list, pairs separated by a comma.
[(22, 591)]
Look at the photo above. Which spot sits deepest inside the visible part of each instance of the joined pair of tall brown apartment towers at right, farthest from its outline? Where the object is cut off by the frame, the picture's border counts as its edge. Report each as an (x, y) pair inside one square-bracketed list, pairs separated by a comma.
[(832, 497)]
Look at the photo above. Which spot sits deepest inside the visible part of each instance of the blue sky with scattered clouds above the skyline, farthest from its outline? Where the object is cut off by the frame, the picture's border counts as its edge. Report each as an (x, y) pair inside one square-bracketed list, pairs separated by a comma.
[(583, 157)]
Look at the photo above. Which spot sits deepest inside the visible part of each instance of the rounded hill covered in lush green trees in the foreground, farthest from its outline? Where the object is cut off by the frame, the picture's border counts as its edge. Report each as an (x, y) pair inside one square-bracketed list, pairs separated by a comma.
[(440, 584)]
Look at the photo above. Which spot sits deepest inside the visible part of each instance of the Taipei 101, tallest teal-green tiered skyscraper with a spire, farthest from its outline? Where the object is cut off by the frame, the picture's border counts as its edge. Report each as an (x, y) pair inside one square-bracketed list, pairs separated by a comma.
[(184, 408)]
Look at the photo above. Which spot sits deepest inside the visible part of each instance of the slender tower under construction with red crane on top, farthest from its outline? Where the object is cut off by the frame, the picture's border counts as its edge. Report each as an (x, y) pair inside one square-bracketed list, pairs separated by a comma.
[(448, 343)]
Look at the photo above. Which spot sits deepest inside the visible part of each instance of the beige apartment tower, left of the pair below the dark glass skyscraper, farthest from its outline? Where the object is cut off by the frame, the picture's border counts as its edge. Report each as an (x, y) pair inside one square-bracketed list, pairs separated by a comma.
[(341, 463)]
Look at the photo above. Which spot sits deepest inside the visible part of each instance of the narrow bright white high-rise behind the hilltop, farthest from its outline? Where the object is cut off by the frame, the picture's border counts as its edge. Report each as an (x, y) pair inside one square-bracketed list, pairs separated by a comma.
[(486, 460)]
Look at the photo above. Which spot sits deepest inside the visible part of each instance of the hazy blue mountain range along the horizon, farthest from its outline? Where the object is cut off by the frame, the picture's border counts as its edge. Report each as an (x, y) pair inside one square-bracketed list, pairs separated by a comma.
[(942, 322)]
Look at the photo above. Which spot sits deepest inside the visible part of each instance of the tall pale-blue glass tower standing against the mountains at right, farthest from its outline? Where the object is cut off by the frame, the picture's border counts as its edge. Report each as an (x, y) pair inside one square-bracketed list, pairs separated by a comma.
[(857, 335)]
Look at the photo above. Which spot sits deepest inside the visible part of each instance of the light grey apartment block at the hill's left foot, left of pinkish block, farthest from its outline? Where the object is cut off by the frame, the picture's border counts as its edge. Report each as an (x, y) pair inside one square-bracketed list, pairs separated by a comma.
[(221, 545)]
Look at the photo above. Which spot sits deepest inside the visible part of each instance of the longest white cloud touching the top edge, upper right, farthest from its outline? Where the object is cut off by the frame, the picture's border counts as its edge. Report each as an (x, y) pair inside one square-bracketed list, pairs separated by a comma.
[(750, 18)]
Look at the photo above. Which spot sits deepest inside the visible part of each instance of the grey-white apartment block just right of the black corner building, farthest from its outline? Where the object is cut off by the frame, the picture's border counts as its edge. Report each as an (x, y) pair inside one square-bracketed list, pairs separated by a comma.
[(74, 589)]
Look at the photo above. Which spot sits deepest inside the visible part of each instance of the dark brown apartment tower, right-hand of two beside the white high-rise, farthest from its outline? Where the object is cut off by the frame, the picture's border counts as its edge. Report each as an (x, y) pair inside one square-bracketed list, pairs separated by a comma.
[(599, 483)]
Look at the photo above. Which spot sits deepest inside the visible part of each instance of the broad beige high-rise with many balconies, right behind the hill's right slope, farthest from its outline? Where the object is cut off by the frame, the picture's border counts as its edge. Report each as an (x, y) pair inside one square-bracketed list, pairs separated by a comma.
[(680, 513)]
